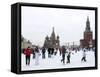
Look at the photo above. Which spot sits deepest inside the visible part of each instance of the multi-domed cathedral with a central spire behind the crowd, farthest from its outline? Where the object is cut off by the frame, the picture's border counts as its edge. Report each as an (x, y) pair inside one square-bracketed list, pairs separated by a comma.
[(52, 41)]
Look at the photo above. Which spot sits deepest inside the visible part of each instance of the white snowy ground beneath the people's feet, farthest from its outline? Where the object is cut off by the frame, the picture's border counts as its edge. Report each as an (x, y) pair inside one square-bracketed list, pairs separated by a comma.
[(55, 61)]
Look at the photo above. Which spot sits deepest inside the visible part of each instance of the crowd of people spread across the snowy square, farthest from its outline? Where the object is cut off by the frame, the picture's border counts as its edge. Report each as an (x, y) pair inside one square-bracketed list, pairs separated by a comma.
[(63, 52)]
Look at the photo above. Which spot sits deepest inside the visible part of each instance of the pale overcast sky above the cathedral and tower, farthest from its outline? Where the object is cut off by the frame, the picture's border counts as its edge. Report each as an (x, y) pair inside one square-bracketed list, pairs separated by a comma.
[(69, 24)]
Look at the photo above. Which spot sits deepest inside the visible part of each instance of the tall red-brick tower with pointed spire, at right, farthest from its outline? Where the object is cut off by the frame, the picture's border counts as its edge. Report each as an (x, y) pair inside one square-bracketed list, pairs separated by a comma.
[(87, 41)]
